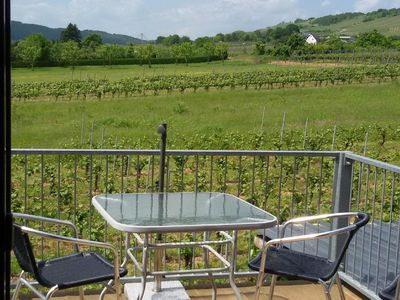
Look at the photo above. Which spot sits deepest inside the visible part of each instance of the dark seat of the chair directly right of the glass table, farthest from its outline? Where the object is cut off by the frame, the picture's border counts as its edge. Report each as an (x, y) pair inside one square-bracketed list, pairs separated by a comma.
[(284, 261)]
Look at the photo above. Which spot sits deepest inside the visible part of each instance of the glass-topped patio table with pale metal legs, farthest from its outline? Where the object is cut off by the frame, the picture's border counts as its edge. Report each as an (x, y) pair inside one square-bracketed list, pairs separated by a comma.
[(144, 214)]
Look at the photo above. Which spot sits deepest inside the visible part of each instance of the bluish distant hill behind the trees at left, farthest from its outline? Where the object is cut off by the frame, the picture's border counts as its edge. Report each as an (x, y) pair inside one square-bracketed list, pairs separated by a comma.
[(20, 30)]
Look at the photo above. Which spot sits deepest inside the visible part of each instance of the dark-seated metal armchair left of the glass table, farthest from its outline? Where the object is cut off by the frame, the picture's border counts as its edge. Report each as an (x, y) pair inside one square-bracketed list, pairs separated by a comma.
[(75, 270)]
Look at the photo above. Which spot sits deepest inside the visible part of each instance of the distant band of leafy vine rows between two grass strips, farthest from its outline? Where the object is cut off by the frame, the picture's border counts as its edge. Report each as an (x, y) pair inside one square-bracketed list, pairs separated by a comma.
[(81, 89)]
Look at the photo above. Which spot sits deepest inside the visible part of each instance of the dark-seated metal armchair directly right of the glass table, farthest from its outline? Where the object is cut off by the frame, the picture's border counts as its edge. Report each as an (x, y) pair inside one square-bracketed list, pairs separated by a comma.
[(277, 259)]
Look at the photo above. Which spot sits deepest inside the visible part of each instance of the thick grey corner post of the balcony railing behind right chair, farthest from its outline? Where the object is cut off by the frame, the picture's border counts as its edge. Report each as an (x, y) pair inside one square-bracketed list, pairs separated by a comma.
[(342, 186)]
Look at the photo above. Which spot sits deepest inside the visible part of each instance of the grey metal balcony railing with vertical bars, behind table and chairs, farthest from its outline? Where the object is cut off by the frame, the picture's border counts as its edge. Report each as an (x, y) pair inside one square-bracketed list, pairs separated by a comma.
[(61, 183)]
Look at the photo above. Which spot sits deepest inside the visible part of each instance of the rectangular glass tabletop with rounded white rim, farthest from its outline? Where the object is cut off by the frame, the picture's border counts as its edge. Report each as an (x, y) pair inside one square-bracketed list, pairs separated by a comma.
[(153, 212)]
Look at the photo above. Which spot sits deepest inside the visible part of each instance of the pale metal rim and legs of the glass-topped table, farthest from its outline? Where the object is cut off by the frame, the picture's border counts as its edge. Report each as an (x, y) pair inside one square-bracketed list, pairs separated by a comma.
[(142, 235)]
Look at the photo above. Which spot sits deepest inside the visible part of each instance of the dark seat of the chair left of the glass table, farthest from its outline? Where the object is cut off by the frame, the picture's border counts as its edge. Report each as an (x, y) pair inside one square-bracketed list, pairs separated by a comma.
[(76, 269)]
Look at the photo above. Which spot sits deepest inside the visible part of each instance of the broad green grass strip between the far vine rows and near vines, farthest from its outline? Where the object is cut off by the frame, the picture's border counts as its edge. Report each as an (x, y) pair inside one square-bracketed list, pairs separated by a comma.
[(53, 124)]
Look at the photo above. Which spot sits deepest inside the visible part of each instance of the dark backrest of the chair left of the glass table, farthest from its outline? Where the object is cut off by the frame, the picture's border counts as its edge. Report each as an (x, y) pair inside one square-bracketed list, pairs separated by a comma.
[(23, 251)]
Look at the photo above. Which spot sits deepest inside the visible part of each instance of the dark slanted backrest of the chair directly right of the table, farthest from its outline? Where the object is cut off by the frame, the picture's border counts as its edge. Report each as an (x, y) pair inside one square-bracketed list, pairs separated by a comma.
[(360, 220)]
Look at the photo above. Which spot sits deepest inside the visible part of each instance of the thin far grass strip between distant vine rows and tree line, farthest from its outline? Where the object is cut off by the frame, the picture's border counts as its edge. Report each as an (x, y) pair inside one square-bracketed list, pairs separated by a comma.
[(238, 64)]
